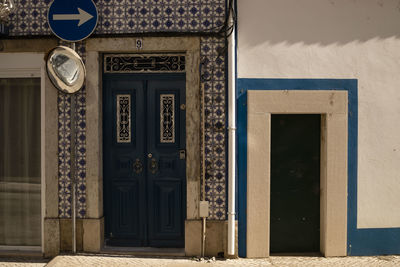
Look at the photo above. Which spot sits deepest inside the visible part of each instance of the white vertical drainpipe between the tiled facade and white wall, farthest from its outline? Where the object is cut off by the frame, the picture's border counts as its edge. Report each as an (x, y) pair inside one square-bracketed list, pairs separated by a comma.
[(231, 138)]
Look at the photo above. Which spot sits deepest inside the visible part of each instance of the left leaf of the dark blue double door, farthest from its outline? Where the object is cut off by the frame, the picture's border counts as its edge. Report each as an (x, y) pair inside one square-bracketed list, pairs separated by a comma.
[(123, 147)]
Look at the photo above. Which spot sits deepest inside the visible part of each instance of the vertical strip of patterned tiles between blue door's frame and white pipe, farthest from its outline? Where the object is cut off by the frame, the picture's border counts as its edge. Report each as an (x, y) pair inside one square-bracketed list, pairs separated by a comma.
[(213, 83)]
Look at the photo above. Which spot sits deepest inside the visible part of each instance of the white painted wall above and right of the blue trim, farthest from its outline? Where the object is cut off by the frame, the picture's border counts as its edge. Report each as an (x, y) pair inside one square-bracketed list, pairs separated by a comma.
[(338, 39)]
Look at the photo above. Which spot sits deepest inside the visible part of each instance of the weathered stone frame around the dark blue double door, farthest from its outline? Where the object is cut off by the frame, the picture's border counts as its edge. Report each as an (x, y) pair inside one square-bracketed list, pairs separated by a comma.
[(93, 224)]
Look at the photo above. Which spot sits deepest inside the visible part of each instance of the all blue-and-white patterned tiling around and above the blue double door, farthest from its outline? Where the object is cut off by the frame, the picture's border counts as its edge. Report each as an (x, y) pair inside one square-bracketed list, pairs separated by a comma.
[(142, 16)]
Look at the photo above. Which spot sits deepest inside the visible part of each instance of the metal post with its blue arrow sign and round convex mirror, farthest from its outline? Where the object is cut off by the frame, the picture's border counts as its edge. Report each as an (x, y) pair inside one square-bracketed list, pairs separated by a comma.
[(71, 21)]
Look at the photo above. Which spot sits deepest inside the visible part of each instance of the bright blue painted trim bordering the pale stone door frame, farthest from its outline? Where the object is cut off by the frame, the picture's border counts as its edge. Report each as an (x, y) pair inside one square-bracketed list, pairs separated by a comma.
[(360, 241)]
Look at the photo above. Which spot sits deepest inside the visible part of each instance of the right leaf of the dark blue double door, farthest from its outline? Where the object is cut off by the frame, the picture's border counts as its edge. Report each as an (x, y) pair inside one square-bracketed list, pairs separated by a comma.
[(165, 139)]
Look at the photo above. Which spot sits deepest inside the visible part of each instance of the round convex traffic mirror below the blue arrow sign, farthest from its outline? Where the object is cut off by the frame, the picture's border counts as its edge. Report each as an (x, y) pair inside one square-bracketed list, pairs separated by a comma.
[(66, 69)]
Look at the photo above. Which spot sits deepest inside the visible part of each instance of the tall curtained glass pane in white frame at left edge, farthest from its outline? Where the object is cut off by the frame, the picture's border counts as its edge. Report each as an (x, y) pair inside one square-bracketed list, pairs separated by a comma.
[(20, 211)]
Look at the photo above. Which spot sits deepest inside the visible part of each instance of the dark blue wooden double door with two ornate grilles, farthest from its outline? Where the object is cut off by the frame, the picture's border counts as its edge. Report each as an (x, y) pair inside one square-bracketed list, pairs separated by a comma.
[(144, 159)]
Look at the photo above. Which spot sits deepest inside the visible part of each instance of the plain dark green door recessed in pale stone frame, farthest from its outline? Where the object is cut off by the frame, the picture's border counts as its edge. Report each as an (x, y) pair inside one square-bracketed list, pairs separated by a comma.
[(295, 183)]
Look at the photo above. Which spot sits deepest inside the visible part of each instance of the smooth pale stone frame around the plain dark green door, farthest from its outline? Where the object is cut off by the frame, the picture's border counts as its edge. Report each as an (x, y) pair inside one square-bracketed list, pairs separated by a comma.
[(333, 107)]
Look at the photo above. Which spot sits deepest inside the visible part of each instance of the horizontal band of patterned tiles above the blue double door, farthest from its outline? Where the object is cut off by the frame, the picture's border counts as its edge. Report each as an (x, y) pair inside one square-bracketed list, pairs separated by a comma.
[(128, 16)]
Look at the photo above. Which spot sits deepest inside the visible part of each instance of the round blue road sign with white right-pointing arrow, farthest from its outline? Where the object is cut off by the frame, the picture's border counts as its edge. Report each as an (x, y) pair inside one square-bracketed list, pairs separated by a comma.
[(72, 20)]
